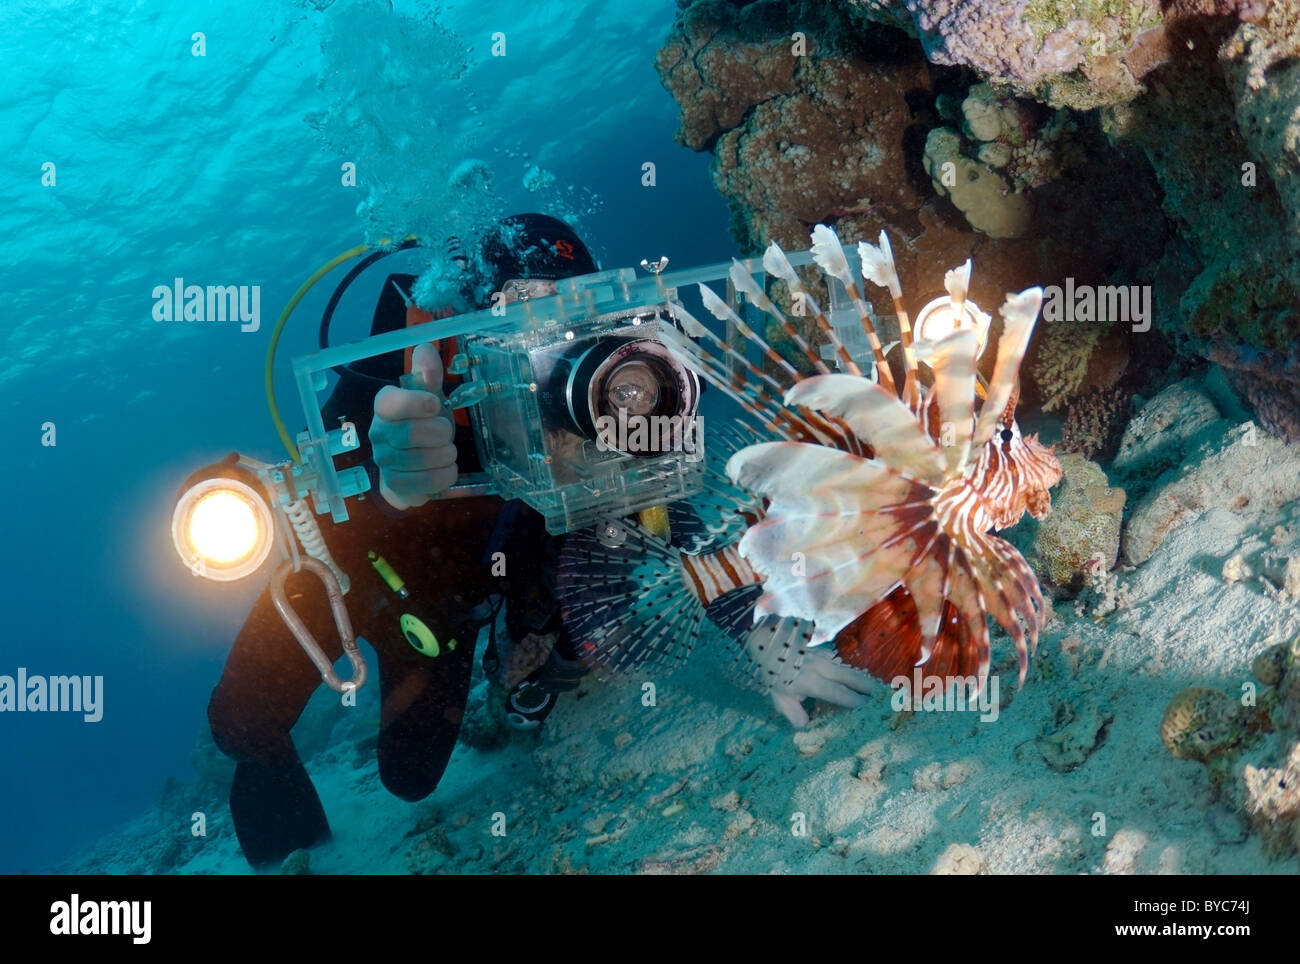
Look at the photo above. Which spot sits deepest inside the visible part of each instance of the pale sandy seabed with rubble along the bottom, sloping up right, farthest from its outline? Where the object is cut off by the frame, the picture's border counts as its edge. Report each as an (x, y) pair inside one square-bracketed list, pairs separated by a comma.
[(713, 779)]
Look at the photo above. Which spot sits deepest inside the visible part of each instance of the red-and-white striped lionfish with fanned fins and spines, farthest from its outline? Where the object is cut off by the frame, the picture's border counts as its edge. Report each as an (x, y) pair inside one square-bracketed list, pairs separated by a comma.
[(851, 509)]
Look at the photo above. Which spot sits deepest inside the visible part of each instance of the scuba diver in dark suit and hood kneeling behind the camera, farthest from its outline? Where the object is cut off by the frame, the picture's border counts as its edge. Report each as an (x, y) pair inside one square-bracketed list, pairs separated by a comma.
[(423, 575)]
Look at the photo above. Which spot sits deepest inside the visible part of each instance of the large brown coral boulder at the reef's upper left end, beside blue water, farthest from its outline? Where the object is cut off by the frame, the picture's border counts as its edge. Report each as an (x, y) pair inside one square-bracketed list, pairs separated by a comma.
[(796, 138)]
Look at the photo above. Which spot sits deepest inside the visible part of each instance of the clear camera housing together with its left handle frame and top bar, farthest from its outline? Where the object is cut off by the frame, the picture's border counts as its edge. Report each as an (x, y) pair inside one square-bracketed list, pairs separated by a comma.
[(578, 407)]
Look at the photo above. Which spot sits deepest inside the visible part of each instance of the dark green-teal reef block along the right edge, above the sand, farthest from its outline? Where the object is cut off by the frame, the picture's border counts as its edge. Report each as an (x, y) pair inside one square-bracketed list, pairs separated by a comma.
[(1225, 147)]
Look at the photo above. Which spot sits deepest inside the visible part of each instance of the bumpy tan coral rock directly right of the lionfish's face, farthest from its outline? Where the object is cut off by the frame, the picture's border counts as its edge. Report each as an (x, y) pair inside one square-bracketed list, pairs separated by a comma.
[(1085, 524)]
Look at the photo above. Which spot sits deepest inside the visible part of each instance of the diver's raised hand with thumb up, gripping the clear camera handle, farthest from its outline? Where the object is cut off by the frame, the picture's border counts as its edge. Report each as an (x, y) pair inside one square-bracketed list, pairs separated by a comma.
[(411, 437)]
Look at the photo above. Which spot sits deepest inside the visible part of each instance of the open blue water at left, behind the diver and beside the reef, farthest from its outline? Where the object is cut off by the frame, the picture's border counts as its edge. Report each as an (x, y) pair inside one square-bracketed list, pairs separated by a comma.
[(216, 170)]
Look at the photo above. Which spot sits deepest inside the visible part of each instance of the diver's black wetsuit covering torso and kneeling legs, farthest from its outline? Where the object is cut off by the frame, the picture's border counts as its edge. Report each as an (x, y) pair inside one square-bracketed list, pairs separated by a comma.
[(443, 552)]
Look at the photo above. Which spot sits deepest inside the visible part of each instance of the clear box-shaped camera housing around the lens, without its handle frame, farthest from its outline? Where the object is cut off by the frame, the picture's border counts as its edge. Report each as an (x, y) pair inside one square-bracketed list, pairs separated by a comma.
[(583, 422)]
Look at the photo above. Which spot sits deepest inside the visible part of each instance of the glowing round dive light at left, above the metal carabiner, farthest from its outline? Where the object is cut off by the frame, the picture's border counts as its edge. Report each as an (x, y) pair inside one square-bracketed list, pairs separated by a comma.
[(222, 527)]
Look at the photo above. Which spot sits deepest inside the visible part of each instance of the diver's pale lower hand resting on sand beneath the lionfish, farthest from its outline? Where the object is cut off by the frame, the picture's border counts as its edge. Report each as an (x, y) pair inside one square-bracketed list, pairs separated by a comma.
[(795, 674)]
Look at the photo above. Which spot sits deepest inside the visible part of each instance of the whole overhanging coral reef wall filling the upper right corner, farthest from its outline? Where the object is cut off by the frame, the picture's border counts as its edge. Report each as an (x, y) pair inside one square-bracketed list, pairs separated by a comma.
[(1204, 94)]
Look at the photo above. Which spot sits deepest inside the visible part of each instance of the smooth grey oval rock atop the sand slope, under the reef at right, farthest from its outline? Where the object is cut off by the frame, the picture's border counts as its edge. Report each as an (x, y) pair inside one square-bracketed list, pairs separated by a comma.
[(1159, 436)]
